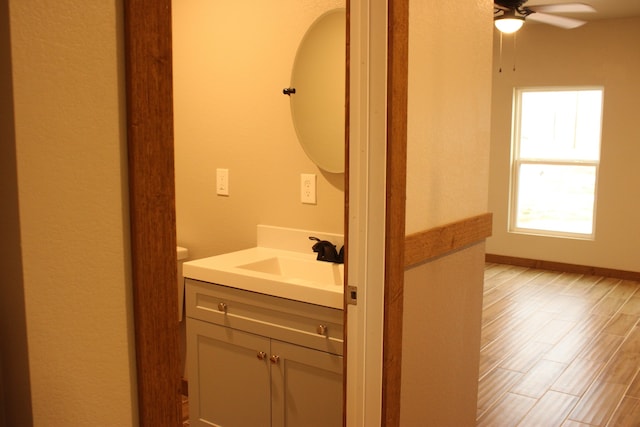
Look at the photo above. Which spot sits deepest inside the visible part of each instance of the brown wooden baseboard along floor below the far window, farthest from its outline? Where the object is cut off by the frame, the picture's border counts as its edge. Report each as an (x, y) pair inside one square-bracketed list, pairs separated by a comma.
[(559, 266)]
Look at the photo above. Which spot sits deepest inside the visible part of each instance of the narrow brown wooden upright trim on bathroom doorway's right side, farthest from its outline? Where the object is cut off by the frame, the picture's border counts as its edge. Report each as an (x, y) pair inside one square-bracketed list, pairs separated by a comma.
[(397, 83)]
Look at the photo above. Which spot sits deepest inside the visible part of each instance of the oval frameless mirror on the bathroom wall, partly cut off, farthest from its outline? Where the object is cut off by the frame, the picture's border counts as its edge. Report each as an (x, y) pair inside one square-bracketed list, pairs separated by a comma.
[(318, 104)]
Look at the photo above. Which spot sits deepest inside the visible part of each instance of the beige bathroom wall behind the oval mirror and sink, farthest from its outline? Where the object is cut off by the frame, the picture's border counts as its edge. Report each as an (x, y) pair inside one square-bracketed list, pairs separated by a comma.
[(230, 113)]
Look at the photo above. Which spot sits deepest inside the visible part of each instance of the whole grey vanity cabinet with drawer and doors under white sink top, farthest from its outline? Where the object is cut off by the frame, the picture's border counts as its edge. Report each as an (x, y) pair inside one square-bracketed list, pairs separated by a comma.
[(259, 360)]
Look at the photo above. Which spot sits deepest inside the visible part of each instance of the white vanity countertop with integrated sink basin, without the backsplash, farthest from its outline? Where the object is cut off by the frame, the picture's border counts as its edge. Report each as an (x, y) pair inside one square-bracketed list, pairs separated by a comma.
[(287, 274)]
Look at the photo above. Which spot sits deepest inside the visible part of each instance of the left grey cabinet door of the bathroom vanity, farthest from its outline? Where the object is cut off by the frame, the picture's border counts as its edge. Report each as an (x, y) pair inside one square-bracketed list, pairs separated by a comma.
[(229, 376)]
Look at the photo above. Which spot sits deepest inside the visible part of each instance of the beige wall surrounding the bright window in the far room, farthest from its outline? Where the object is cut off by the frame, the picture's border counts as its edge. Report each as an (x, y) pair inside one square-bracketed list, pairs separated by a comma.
[(600, 53)]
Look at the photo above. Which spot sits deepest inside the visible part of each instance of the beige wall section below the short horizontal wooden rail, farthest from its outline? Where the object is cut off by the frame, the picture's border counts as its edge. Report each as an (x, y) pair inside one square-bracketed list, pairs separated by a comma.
[(441, 340)]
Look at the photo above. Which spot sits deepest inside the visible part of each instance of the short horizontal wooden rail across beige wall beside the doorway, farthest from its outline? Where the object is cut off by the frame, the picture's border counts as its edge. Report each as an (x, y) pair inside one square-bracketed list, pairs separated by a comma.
[(439, 241)]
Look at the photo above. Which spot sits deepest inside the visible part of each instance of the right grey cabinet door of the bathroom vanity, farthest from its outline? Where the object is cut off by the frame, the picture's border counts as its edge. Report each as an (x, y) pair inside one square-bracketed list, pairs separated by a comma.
[(306, 387)]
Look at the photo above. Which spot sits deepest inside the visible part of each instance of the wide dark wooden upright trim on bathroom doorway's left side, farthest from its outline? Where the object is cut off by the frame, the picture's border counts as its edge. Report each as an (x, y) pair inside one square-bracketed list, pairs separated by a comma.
[(148, 59)]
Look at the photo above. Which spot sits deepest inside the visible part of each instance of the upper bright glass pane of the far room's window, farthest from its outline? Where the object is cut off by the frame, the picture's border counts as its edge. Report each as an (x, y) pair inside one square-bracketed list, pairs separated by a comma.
[(560, 125)]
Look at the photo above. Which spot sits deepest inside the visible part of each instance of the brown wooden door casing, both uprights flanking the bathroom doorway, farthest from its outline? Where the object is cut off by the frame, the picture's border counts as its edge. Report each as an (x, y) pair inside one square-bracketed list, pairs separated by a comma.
[(149, 93)]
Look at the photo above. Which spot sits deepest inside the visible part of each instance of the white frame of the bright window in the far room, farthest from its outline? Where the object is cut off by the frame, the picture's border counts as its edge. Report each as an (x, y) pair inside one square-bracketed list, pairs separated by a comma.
[(516, 163)]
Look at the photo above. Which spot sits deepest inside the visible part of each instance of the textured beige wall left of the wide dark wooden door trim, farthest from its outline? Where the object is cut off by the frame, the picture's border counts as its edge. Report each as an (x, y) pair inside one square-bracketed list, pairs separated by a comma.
[(70, 152)]
